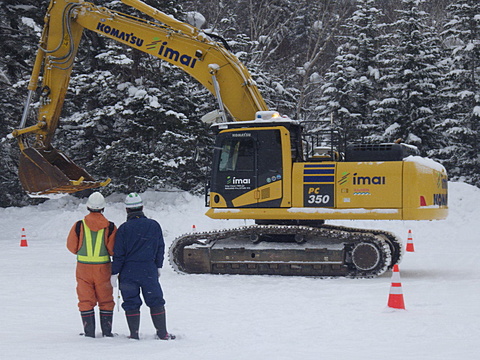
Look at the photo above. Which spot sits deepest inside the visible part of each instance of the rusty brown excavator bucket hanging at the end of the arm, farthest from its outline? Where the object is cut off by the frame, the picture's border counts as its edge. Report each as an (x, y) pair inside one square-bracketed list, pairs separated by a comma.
[(51, 171)]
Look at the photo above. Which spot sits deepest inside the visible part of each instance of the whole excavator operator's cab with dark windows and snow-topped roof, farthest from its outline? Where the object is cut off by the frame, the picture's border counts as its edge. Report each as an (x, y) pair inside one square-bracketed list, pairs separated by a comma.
[(252, 164)]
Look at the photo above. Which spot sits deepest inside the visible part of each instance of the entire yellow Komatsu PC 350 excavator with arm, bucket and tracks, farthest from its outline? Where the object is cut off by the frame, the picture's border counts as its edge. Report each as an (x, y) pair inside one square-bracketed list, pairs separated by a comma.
[(264, 168)]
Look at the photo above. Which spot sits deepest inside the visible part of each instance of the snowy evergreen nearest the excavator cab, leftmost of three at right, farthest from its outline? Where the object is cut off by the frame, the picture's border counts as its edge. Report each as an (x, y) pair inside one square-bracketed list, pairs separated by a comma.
[(351, 89)]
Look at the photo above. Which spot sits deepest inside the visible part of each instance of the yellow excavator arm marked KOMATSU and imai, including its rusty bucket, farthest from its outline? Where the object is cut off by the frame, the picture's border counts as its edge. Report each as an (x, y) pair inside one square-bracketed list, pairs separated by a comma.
[(43, 169)]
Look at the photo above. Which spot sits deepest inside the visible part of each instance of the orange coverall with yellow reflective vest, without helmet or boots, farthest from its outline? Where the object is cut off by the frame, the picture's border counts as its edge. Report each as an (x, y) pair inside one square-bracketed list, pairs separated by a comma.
[(93, 245)]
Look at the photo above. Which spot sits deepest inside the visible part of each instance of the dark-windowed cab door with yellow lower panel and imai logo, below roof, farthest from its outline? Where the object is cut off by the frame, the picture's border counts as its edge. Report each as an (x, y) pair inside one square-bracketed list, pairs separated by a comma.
[(247, 166)]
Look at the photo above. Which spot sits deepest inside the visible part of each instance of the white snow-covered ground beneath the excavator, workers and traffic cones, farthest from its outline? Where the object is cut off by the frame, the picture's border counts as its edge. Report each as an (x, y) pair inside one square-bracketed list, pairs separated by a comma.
[(247, 317)]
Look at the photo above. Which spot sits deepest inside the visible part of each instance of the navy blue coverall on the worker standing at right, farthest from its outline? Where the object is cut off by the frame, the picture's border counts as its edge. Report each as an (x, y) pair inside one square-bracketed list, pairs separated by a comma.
[(138, 253)]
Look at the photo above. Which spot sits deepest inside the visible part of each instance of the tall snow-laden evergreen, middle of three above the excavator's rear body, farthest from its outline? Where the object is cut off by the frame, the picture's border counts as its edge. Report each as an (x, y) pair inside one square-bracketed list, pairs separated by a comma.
[(411, 79)]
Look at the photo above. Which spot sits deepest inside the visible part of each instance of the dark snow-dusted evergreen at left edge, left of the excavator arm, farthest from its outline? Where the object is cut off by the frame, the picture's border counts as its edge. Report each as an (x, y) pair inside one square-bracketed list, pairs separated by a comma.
[(19, 32)]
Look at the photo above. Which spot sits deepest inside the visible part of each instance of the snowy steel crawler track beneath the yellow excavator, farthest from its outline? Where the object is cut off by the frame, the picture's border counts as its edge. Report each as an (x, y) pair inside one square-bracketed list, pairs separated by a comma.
[(326, 251)]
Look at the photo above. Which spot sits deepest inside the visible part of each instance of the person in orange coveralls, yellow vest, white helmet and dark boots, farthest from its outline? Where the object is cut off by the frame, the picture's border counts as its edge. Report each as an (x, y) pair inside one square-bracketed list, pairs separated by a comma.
[(92, 240)]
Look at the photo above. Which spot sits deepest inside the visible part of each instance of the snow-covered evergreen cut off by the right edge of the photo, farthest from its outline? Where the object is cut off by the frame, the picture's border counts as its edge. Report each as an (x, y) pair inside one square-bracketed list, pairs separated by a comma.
[(460, 94)]
